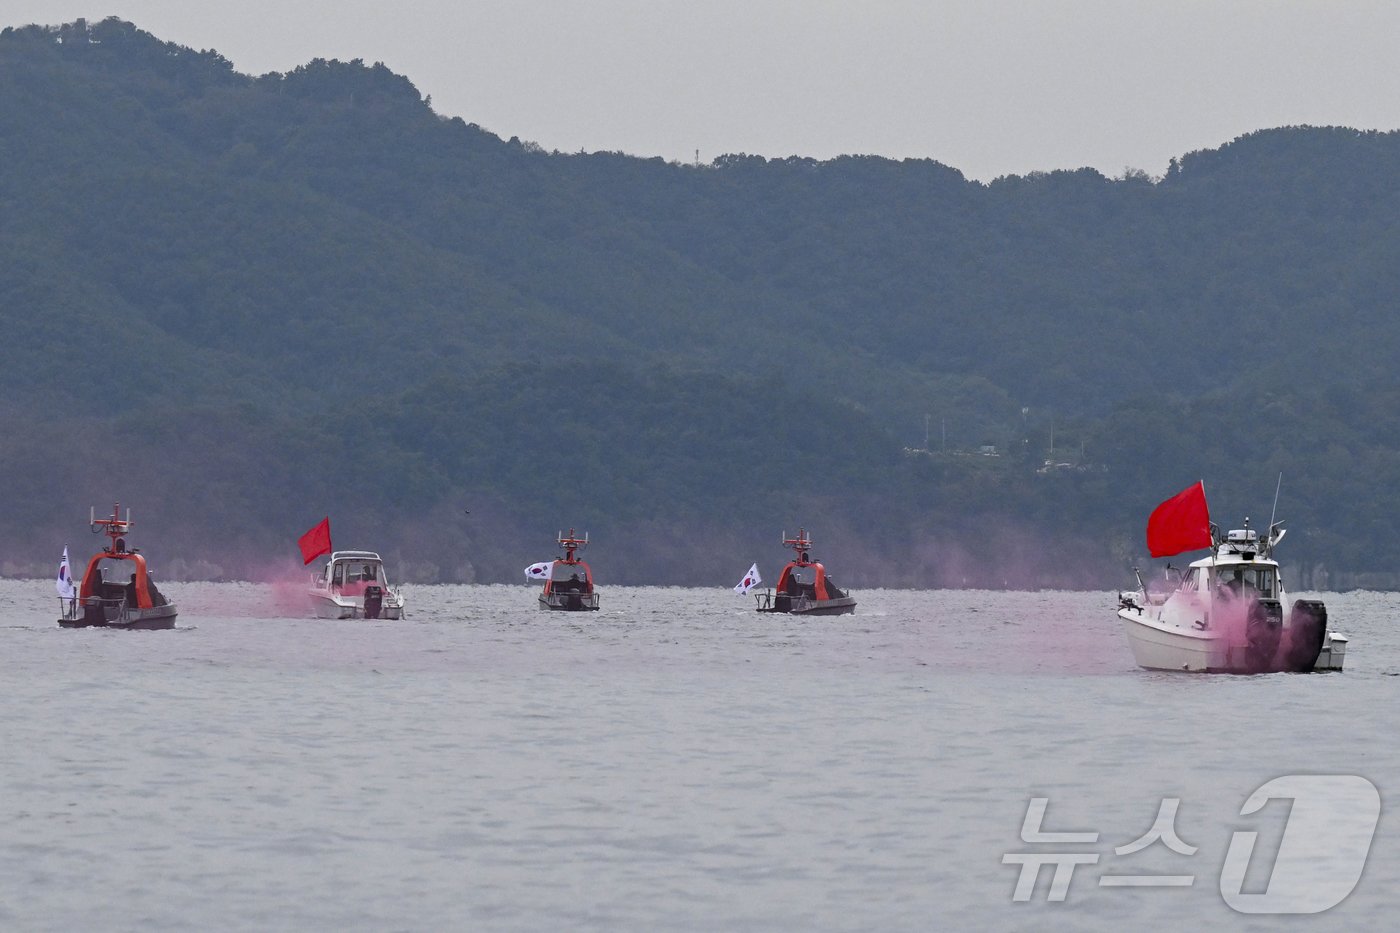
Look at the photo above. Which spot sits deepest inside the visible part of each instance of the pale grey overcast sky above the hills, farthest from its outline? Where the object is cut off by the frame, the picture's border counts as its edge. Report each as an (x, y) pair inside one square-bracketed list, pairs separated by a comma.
[(986, 86)]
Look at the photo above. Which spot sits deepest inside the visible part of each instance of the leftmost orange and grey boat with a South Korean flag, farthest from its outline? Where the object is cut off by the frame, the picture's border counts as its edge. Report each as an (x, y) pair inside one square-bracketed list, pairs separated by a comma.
[(129, 599)]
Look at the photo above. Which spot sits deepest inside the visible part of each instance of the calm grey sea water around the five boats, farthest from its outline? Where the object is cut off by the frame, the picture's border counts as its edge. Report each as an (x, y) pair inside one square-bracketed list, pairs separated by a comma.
[(671, 763)]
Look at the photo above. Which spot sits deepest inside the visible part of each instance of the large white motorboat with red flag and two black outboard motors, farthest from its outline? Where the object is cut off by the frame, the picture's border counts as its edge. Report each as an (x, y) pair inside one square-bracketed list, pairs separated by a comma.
[(1227, 611)]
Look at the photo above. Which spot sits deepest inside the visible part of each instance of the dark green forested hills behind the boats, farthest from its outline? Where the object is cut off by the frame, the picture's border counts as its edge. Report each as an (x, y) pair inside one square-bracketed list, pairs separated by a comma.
[(240, 303)]
